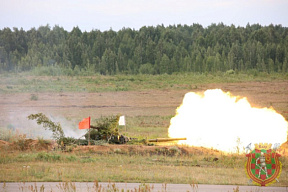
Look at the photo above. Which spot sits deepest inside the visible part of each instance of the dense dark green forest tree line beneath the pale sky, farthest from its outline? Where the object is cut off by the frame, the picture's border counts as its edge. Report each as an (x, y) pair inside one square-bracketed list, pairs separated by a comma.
[(149, 50)]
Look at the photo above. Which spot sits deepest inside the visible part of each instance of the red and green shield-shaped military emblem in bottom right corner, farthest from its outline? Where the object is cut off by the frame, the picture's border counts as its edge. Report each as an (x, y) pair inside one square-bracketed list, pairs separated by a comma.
[(263, 166)]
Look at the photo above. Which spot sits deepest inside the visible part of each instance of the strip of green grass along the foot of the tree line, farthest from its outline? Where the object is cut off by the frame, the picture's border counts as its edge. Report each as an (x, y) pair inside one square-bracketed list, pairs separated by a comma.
[(27, 83)]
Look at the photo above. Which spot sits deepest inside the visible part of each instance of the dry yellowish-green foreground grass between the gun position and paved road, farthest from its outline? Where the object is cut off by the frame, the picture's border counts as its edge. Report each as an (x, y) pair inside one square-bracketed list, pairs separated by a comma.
[(128, 166)]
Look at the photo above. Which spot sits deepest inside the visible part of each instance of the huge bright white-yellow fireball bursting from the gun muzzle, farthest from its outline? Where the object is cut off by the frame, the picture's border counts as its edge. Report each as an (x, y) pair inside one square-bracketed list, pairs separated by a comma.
[(218, 120)]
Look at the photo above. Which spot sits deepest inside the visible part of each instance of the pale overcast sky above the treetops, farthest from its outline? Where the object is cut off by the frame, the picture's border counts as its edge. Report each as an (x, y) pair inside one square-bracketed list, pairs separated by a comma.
[(116, 14)]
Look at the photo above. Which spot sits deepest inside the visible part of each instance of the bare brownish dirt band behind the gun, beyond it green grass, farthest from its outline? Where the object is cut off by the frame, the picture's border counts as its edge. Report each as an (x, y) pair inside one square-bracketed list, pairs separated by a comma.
[(15, 106)]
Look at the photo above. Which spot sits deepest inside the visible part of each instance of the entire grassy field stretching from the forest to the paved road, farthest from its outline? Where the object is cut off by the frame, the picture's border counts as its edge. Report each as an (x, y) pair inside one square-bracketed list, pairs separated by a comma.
[(148, 102)]
